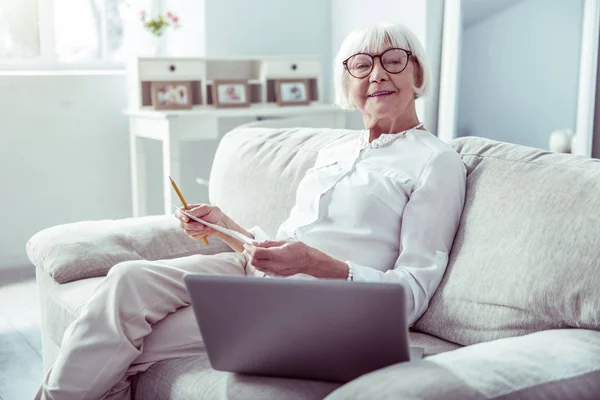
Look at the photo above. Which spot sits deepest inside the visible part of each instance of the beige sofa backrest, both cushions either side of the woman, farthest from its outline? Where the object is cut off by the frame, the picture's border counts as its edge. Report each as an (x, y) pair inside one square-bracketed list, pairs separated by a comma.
[(525, 257)]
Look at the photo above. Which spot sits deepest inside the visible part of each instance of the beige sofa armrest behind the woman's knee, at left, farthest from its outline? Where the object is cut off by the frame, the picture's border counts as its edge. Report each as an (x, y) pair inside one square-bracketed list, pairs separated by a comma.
[(88, 249)]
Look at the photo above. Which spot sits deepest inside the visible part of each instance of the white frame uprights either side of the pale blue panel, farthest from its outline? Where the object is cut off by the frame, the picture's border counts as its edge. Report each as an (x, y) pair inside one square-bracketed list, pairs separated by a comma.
[(588, 65)]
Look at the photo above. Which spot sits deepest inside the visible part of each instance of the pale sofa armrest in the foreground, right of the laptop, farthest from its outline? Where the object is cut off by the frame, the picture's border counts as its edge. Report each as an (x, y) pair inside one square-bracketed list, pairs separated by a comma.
[(553, 364)]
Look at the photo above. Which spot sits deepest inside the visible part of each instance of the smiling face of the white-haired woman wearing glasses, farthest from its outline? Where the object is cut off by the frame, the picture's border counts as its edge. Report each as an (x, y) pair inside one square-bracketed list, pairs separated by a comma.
[(381, 95)]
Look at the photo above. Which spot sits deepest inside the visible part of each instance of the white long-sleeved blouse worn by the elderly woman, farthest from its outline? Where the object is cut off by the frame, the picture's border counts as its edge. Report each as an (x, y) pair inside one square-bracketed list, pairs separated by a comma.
[(389, 208)]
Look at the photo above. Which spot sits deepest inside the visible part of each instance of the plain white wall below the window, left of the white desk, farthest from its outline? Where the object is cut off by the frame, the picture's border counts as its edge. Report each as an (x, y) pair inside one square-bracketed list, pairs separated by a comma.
[(63, 155)]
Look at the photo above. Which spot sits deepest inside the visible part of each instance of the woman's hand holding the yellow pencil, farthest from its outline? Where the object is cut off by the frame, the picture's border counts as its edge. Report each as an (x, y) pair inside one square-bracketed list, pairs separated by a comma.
[(206, 212)]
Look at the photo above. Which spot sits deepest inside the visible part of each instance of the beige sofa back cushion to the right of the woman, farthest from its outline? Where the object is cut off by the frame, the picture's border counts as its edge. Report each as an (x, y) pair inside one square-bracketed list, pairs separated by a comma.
[(525, 257)]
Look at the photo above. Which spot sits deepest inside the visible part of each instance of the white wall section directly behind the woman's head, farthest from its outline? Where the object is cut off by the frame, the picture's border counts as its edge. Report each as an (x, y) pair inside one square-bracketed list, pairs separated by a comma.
[(347, 15)]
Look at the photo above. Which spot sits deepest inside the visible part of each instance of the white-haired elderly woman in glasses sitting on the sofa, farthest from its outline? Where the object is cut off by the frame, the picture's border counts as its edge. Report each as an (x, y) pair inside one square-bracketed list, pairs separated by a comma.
[(379, 206)]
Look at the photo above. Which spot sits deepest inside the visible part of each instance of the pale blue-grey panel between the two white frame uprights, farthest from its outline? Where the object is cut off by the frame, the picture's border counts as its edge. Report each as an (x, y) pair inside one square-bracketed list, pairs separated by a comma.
[(519, 72)]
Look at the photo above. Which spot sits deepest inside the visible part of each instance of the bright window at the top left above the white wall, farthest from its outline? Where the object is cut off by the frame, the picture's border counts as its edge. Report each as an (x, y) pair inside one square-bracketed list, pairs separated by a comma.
[(63, 32)]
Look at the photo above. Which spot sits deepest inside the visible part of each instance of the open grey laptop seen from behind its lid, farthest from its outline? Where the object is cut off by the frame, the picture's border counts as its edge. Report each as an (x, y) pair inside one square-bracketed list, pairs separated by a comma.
[(328, 330)]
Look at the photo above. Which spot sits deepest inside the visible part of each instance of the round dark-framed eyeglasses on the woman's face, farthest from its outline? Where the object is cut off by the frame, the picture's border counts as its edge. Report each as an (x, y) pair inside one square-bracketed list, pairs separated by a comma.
[(393, 61)]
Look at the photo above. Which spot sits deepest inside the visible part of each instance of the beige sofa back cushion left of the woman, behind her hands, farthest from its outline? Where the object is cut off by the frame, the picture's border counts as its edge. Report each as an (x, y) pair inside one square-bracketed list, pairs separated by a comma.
[(259, 188)]
